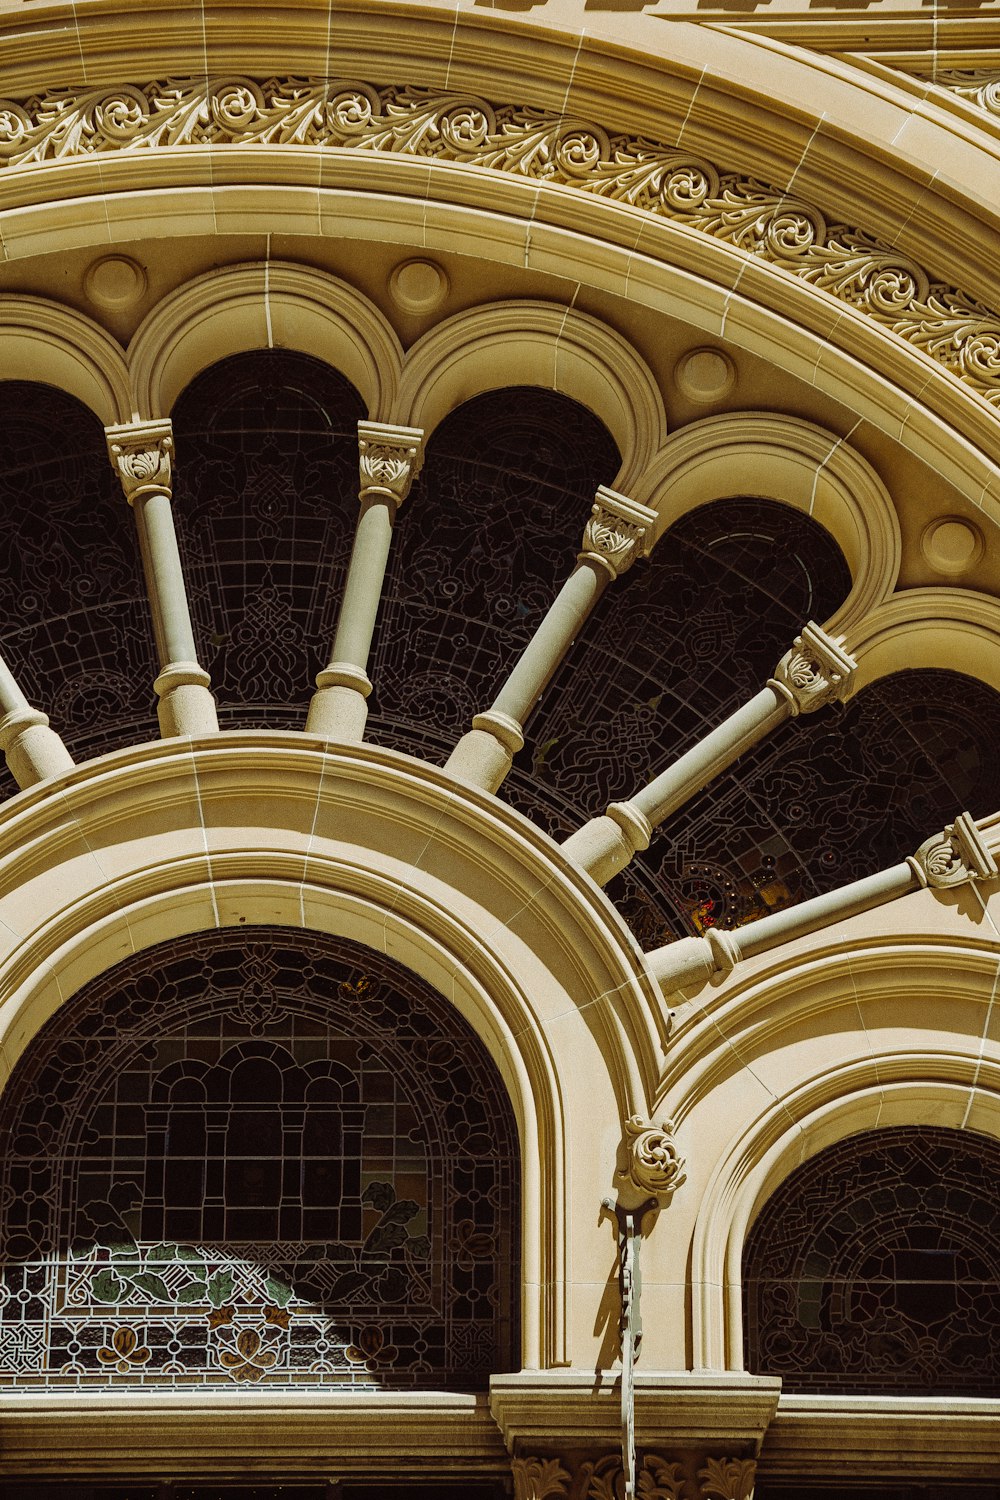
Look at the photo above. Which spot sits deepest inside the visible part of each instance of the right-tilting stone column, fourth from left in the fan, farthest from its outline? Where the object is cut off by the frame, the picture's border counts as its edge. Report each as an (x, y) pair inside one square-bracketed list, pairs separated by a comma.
[(620, 532)]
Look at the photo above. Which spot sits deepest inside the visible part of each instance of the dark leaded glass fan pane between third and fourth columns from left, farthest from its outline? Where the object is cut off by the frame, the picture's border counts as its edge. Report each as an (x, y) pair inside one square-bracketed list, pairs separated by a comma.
[(482, 548)]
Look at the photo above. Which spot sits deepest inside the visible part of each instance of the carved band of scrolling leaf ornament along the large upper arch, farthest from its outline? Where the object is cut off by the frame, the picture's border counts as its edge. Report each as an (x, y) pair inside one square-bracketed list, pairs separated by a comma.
[(540, 146)]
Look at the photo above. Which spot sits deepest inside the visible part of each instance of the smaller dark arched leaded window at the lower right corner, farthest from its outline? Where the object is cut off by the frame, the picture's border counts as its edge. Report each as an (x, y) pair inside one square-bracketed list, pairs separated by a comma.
[(876, 1268)]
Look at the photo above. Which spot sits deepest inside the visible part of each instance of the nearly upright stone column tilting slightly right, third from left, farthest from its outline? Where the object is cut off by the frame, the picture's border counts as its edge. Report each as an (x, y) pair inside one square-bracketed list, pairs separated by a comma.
[(389, 461)]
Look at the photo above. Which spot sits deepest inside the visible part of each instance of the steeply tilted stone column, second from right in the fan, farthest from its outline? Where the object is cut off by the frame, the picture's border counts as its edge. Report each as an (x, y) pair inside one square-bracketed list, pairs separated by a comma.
[(815, 673)]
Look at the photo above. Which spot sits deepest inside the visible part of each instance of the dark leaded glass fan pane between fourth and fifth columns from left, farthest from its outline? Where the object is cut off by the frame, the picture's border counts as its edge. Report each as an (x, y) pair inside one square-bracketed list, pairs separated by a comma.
[(674, 647)]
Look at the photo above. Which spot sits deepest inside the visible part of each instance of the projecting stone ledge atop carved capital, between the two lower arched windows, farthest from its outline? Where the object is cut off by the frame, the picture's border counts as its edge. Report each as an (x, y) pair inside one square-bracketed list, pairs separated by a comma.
[(674, 1409)]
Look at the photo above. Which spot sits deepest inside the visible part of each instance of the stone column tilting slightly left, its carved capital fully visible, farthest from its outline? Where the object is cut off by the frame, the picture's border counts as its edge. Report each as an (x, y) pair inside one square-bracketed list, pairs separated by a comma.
[(142, 458)]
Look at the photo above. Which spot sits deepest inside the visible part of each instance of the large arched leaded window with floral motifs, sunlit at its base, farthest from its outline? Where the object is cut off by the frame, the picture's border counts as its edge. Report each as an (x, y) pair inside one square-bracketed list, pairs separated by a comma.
[(262, 1157)]
